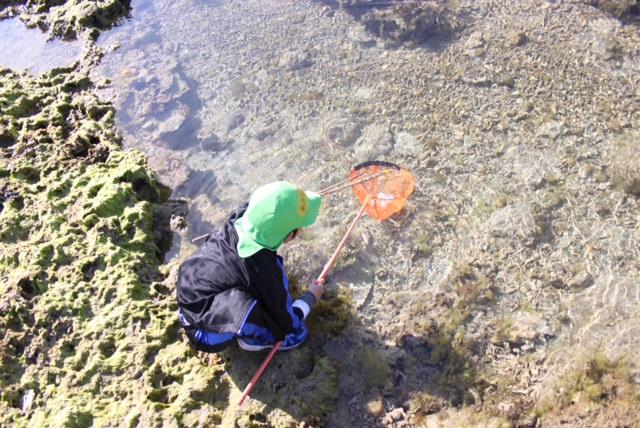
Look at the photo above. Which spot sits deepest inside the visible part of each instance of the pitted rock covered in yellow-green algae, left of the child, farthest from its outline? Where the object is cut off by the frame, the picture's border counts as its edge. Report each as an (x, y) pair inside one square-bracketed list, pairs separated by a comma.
[(89, 336)]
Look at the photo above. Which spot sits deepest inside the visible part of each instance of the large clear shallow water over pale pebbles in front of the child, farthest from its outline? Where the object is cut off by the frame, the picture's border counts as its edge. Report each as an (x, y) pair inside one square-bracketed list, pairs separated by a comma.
[(225, 96)]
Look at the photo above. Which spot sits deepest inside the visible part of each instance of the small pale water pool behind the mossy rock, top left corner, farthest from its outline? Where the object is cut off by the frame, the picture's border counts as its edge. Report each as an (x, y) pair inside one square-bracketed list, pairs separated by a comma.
[(22, 48)]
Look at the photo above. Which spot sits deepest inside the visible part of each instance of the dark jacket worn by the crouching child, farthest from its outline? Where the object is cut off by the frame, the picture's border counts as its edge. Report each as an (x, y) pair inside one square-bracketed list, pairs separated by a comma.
[(217, 288)]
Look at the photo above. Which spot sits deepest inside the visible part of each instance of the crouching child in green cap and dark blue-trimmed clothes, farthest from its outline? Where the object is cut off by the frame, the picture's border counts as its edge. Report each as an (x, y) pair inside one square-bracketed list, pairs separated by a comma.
[(235, 286)]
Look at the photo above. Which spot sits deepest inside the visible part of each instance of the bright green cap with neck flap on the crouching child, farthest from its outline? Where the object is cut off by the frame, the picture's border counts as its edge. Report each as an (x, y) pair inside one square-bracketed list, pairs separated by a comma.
[(275, 210)]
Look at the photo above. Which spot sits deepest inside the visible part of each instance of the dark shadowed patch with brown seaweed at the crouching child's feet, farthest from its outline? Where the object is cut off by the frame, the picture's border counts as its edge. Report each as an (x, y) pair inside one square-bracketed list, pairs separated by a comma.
[(347, 375)]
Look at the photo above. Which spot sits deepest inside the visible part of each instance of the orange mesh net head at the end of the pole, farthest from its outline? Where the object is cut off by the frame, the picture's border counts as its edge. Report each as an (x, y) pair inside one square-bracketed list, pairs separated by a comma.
[(385, 184)]
